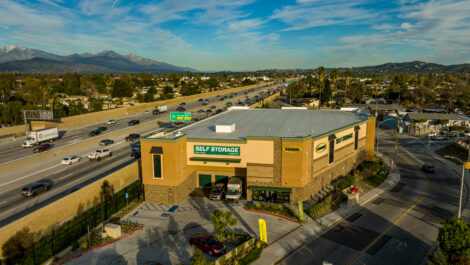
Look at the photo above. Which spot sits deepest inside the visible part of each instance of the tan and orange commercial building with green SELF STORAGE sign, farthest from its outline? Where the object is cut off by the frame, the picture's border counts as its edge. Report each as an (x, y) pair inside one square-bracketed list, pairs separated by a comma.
[(281, 155)]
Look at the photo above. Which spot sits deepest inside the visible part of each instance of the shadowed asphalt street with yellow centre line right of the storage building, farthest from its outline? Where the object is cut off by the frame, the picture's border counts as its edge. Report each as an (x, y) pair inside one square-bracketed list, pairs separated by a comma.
[(401, 225)]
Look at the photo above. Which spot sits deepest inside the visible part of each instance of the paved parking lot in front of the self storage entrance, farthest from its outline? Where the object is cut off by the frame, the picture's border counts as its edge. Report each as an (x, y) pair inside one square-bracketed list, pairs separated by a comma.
[(169, 227)]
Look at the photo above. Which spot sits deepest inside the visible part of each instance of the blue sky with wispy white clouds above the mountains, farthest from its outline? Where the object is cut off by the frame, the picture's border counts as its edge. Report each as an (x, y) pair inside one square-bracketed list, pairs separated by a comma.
[(245, 34)]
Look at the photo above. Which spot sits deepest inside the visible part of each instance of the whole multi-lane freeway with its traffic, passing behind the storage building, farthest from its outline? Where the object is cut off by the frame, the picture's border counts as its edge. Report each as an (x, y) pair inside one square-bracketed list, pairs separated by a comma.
[(77, 171)]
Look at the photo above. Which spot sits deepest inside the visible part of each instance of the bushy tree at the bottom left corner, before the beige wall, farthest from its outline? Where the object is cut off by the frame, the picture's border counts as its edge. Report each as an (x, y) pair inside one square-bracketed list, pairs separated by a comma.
[(17, 245)]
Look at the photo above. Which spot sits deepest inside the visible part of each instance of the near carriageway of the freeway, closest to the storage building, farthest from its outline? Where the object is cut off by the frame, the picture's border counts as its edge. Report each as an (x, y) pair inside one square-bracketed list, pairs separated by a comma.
[(14, 206)]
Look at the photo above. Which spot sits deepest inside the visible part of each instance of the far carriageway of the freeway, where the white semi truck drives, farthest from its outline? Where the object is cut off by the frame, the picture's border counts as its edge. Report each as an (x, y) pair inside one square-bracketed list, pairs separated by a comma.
[(12, 151)]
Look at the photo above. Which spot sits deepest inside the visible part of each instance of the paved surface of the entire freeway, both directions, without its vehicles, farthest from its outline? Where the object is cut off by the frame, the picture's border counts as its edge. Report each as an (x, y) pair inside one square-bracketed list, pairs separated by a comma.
[(65, 178)]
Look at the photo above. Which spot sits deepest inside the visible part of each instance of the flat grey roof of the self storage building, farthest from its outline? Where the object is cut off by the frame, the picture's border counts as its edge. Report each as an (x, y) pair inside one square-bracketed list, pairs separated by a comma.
[(290, 123)]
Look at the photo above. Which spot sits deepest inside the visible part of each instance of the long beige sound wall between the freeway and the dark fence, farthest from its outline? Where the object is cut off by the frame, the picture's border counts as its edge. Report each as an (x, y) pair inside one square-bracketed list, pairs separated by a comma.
[(66, 207)]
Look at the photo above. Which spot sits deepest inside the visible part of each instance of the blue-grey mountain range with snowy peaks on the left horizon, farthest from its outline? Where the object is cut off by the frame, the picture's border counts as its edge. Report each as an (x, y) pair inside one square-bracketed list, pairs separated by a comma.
[(27, 60)]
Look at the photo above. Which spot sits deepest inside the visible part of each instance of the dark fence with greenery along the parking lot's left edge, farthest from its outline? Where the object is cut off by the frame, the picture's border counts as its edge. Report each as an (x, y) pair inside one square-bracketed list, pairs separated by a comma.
[(60, 238)]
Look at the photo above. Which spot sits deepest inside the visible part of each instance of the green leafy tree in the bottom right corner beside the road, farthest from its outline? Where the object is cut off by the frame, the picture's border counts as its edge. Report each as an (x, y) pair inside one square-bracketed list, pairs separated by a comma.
[(453, 242)]
